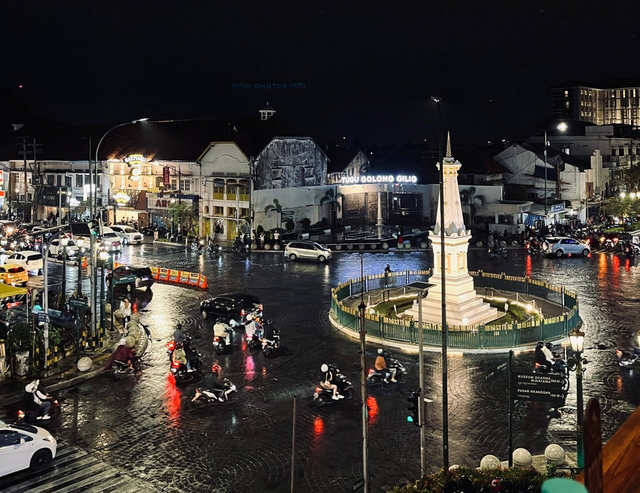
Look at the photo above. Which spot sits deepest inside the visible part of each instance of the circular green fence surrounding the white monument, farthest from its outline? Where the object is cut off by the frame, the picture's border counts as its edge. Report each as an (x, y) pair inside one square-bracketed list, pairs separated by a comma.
[(373, 288)]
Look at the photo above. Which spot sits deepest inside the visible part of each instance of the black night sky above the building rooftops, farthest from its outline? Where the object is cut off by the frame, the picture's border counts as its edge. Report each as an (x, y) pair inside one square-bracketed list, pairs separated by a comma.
[(364, 70)]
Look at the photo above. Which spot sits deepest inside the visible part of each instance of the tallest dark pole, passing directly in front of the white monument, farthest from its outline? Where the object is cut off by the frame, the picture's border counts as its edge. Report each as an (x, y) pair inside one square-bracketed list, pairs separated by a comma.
[(443, 266)]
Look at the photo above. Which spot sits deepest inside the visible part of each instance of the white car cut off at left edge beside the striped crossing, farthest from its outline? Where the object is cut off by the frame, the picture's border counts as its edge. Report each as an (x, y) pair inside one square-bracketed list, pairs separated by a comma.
[(25, 446)]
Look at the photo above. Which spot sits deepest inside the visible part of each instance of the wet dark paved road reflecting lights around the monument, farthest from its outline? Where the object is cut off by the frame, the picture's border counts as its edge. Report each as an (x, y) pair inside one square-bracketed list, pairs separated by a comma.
[(147, 429)]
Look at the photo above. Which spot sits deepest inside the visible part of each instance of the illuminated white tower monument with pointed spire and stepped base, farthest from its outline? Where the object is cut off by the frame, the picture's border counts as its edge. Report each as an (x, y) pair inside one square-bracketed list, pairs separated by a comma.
[(463, 305)]
